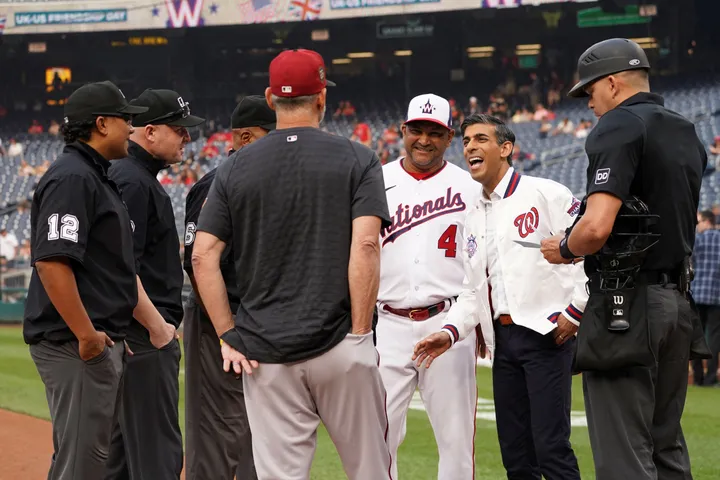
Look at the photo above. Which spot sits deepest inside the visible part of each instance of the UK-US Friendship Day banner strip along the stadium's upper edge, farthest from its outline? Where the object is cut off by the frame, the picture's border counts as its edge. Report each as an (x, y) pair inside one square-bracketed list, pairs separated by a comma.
[(106, 15)]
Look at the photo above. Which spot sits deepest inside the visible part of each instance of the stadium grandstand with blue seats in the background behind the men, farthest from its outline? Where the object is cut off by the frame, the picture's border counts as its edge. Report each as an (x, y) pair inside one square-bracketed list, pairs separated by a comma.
[(212, 52)]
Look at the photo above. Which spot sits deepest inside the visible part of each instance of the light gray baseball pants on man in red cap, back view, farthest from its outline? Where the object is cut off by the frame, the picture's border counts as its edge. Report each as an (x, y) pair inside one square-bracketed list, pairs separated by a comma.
[(343, 389)]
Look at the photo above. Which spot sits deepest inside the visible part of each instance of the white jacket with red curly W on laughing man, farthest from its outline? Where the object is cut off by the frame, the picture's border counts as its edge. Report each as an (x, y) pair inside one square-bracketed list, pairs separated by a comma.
[(531, 209)]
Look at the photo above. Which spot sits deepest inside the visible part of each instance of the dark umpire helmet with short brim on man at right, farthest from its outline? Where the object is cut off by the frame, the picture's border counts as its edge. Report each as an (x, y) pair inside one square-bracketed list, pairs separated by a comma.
[(605, 58)]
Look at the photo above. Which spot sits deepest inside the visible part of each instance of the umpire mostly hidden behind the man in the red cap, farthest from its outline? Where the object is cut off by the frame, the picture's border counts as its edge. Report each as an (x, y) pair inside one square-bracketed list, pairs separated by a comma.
[(217, 434)]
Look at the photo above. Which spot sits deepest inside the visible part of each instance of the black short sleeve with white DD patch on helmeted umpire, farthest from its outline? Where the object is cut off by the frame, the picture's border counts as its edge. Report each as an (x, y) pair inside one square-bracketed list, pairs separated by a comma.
[(614, 149)]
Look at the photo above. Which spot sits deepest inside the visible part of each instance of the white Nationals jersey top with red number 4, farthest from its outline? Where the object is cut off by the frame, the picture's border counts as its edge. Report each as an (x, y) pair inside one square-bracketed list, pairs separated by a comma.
[(422, 262)]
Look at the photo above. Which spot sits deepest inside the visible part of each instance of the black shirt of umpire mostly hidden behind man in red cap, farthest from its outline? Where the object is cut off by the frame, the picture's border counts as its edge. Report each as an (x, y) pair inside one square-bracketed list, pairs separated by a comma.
[(193, 204)]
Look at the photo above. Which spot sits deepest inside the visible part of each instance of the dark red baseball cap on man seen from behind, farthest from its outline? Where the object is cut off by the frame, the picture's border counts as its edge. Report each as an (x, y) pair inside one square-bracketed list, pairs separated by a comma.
[(296, 73)]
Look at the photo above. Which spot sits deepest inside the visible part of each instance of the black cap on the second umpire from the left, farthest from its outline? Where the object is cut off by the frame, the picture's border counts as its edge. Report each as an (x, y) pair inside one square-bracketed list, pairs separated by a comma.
[(164, 107)]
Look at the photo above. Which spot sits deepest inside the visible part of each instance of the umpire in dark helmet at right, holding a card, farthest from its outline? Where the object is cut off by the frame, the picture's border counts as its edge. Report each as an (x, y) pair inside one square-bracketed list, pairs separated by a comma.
[(635, 372)]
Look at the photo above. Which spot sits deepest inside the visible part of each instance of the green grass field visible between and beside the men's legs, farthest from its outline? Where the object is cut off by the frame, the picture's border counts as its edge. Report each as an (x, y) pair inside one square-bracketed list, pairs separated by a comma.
[(22, 391)]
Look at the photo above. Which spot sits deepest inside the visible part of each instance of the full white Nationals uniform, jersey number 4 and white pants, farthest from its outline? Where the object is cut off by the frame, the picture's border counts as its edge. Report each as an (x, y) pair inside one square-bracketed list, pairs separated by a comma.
[(421, 265)]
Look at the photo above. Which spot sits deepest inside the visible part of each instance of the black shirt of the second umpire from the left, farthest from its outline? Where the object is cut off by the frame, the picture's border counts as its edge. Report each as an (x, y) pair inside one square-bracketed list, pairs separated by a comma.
[(157, 246)]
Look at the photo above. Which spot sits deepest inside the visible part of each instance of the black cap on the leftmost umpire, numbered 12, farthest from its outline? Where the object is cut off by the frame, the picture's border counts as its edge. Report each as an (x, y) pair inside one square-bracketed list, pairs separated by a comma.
[(98, 99)]
